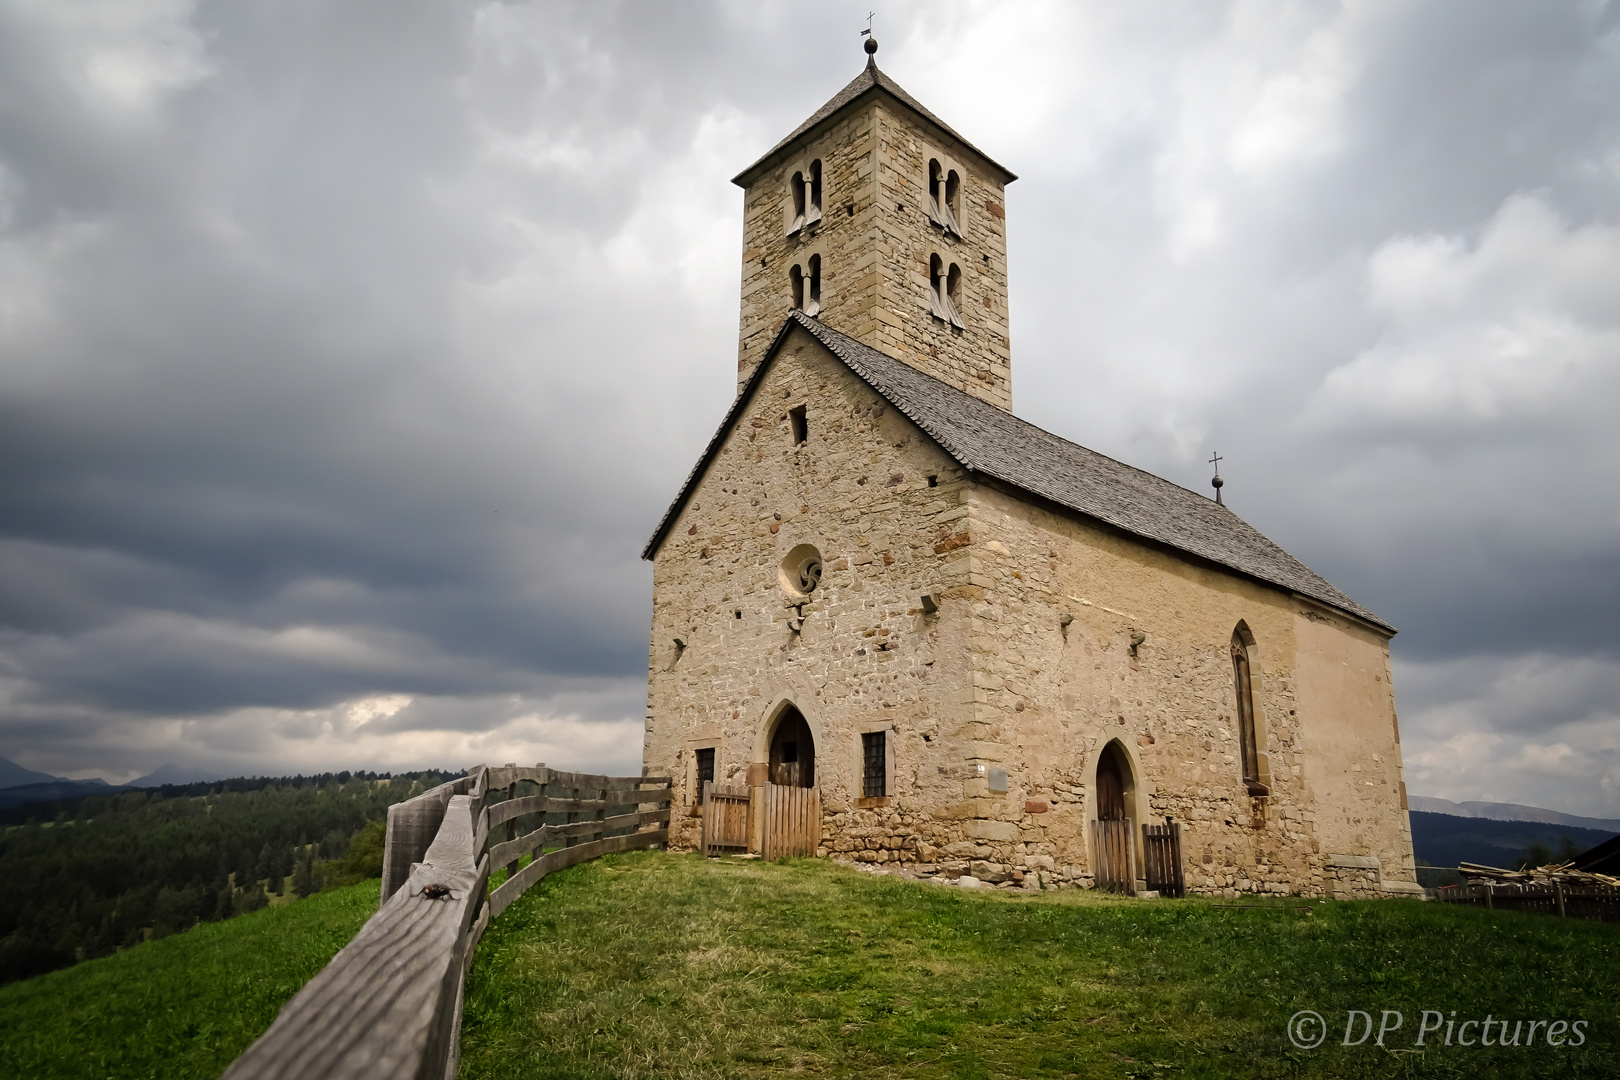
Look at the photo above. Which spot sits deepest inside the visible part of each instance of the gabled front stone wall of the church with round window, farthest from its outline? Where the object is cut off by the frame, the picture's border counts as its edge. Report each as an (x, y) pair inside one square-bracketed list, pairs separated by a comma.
[(859, 491)]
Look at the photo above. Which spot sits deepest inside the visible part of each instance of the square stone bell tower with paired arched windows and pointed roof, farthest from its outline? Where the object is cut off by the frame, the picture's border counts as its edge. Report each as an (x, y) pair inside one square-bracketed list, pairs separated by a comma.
[(885, 224)]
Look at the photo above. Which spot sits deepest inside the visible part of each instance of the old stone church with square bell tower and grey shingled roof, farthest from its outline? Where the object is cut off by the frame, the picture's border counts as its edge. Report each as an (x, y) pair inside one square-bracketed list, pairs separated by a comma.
[(991, 652)]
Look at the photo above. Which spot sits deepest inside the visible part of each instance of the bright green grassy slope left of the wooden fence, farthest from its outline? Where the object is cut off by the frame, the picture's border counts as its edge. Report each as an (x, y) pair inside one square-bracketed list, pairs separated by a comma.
[(182, 1006)]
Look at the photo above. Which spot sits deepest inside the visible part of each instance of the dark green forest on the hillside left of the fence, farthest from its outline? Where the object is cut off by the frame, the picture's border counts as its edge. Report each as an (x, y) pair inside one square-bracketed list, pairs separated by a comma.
[(88, 877)]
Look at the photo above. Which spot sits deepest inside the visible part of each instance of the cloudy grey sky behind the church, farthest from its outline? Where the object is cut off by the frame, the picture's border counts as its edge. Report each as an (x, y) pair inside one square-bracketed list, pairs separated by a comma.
[(351, 351)]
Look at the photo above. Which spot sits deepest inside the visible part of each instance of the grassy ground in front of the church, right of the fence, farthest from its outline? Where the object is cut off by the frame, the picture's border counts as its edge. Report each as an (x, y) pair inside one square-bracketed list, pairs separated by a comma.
[(665, 966)]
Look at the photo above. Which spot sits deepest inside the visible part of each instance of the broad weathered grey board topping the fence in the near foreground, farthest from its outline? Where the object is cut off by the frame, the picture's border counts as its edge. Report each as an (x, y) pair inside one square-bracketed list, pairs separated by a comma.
[(388, 1005)]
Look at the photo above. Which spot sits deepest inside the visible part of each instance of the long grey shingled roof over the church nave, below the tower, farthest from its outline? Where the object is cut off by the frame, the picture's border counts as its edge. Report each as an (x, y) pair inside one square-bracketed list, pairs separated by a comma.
[(995, 444)]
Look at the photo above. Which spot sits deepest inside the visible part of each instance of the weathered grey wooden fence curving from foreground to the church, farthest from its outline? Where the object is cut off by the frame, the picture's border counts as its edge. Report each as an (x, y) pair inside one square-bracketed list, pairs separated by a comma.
[(390, 1005)]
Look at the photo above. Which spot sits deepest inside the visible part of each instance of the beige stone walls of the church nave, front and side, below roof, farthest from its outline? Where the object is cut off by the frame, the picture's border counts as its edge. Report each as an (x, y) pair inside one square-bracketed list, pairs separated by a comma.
[(995, 679)]
